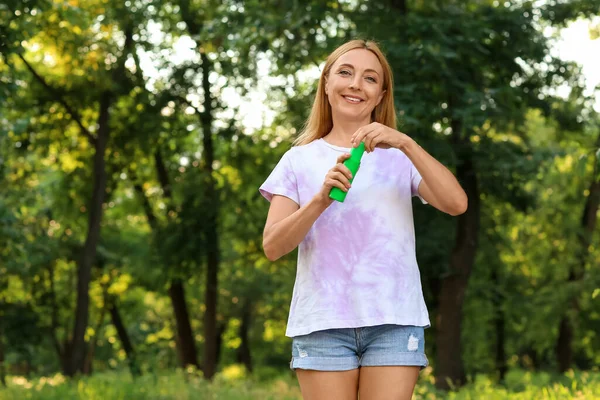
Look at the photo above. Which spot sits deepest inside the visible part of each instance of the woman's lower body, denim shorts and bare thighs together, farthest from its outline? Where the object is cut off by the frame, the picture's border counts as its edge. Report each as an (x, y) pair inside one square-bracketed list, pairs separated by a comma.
[(389, 356)]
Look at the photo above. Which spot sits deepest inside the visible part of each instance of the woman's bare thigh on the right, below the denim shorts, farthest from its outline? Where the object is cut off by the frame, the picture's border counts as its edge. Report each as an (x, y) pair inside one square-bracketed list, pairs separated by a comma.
[(387, 383)]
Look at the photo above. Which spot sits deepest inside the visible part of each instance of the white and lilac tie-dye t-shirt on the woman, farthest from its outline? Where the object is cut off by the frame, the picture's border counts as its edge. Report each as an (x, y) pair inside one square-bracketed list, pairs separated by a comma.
[(357, 265)]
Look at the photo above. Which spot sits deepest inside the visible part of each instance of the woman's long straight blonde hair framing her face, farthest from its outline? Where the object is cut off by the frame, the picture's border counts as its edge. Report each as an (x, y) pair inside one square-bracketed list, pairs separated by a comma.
[(320, 122)]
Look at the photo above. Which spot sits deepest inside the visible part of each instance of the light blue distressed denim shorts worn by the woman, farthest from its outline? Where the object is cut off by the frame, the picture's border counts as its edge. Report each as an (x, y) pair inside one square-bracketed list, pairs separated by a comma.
[(350, 348)]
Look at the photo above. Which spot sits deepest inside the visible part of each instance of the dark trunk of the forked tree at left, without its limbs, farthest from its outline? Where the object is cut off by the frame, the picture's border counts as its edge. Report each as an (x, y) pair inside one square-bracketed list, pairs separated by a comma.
[(84, 271)]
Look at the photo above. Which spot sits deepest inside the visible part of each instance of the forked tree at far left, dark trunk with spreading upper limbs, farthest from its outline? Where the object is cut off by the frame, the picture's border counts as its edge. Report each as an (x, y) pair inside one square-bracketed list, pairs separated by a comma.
[(104, 99)]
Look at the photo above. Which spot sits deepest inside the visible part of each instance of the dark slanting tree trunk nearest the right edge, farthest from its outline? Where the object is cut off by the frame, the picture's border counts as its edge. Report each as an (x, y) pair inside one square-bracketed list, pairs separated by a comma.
[(564, 343)]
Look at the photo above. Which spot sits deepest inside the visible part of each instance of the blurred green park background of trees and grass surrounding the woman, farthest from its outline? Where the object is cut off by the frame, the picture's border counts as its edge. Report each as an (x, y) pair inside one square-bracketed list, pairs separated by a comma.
[(134, 136)]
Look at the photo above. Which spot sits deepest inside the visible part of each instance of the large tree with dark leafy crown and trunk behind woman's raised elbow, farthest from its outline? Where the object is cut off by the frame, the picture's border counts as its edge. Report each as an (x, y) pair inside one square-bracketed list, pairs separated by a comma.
[(474, 66)]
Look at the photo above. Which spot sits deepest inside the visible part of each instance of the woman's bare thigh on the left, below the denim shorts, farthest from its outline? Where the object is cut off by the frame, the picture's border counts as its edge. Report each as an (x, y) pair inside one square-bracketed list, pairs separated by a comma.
[(328, 385)]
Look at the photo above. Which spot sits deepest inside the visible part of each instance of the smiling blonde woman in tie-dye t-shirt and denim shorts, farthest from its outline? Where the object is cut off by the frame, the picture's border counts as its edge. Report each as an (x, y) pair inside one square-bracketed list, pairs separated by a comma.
[(357, 316)]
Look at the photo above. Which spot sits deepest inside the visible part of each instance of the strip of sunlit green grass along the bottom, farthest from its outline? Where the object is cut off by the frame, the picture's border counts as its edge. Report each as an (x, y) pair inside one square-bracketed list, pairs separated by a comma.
[(233, 384)]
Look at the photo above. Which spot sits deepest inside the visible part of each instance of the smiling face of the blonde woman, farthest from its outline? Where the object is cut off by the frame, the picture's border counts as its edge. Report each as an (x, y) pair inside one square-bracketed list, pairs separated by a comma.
[(354, 85)]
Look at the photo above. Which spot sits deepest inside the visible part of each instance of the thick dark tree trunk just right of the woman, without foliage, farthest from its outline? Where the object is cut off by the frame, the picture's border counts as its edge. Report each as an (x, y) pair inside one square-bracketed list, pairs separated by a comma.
[(449, 367)]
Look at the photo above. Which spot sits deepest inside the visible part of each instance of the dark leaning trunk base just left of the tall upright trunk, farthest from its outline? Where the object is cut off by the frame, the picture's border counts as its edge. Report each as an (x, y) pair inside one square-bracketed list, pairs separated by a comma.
[(185, 338)]
